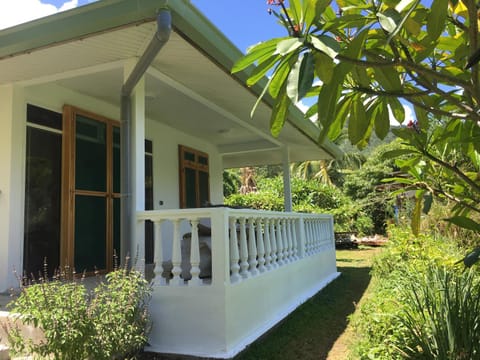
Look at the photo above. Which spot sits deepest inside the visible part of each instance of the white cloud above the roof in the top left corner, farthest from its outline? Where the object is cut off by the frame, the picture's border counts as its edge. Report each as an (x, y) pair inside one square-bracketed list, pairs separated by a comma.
[(19, 11)]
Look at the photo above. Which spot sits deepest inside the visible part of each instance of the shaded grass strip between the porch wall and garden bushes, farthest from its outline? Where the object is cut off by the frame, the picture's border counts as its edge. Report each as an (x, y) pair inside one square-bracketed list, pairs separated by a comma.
[(319, 328)]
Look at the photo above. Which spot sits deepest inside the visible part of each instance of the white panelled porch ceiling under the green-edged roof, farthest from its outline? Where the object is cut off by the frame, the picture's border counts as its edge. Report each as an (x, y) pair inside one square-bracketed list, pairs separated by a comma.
[(185, 89)]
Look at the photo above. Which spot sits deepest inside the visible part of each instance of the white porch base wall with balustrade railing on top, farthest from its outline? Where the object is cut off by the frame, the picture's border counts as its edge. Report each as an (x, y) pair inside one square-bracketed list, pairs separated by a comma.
[(263, 265)]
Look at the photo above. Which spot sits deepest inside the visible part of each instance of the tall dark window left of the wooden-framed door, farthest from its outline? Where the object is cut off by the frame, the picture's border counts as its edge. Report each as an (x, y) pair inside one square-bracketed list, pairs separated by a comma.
[(42, 190)]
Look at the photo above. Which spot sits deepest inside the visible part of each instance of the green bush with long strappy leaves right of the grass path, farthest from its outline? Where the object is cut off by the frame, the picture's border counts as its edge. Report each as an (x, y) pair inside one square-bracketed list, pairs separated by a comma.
[(421, 305)]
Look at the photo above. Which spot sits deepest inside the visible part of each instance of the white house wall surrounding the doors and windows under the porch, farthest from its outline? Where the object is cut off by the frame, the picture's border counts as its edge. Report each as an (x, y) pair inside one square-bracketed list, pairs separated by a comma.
[(13, 100)]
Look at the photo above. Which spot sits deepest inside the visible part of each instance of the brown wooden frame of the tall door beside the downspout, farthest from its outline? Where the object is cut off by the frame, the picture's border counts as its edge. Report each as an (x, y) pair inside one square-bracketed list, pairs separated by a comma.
[(69, 191)]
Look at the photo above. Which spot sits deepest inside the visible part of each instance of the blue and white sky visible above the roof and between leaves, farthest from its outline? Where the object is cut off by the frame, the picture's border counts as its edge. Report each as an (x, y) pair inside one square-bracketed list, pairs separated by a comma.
[(245, 22)]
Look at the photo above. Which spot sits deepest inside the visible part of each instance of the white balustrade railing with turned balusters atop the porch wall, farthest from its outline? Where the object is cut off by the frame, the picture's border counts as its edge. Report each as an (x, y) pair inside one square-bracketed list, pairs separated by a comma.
[(250, 243)]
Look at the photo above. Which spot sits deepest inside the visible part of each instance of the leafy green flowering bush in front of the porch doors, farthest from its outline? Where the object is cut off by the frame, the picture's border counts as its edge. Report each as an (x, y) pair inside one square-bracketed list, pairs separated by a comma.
[(111, 322)]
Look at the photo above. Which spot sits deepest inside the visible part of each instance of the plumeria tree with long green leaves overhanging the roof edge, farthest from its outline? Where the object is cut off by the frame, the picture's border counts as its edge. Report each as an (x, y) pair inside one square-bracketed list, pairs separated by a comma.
[(360, 61)]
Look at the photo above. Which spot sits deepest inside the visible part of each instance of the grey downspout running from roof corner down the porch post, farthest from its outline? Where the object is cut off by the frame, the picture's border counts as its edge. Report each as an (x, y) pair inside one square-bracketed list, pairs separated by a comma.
[(164, 27)]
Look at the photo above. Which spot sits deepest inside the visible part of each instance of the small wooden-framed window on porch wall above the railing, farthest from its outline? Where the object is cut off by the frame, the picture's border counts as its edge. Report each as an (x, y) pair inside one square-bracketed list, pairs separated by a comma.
[(194, 178)]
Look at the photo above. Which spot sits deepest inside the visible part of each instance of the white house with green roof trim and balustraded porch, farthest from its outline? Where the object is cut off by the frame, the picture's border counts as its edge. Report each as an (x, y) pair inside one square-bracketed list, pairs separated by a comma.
[(122, 111)]
